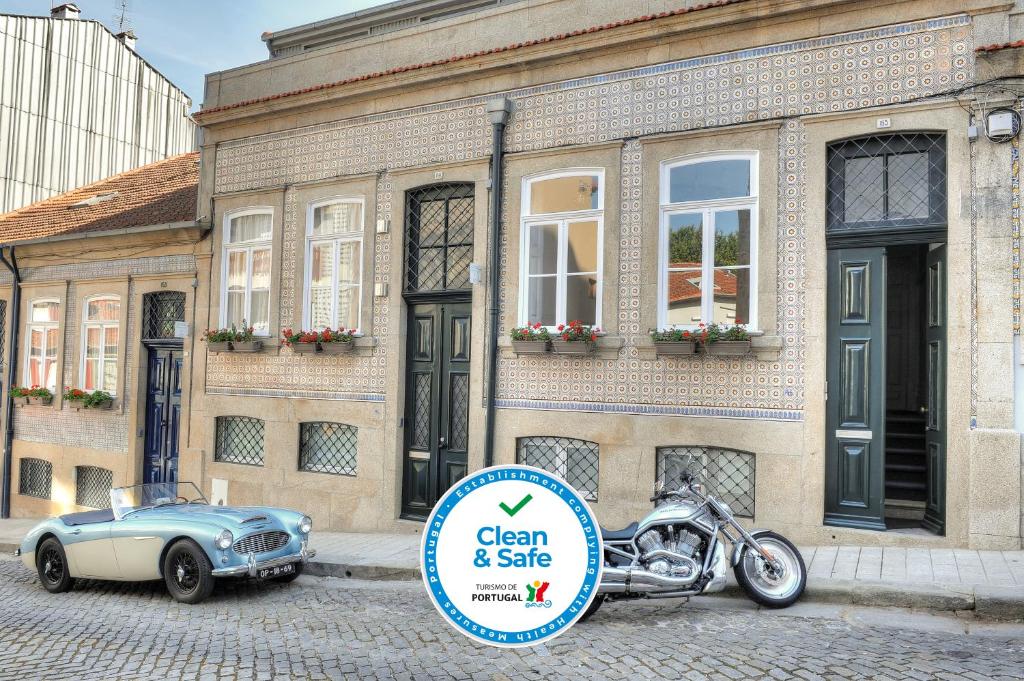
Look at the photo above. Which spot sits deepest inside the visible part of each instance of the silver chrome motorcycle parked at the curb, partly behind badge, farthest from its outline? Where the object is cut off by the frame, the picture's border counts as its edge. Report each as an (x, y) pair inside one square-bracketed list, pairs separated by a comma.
[(680, 550)]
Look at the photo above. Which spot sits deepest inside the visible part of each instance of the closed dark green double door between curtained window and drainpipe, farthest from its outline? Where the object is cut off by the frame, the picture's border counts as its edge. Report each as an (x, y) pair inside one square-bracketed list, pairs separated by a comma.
[(437, 404)]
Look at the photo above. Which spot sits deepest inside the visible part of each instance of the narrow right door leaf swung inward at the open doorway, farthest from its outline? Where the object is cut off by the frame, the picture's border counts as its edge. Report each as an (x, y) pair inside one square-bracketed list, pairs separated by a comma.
[(935, 433)]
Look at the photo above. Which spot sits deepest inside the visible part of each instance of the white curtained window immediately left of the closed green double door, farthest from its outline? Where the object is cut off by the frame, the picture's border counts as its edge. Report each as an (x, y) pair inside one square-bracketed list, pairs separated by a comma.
[(334, 264)]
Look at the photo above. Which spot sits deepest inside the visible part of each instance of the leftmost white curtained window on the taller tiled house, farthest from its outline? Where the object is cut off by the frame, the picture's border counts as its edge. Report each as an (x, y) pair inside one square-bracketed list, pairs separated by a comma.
[(245, 291)]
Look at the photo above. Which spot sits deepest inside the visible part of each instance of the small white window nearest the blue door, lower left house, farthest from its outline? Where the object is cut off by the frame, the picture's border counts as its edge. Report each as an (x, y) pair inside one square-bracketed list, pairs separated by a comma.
[(101, 338)]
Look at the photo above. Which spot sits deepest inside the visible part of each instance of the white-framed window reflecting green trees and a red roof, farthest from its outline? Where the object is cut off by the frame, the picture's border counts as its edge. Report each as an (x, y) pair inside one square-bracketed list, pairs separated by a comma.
[(709, 241)]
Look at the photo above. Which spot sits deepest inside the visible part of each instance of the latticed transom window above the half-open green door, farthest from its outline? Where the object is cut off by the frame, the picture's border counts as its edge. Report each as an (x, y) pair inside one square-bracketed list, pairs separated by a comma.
[(894, 181)]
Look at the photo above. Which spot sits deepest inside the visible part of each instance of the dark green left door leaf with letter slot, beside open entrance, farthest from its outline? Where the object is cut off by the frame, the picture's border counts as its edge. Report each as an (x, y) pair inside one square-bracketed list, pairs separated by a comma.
[(857, 389)]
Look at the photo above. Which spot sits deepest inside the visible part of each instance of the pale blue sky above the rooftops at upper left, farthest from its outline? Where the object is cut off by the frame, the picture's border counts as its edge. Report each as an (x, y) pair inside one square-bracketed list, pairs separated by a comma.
[(187, 39)]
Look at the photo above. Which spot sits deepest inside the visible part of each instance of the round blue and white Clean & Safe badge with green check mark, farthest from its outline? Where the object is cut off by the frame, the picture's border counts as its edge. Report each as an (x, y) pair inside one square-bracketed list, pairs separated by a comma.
[(511, 557)]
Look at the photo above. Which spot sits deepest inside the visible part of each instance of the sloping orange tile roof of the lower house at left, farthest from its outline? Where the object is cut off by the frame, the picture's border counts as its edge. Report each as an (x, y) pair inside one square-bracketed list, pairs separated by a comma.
[(161, 193)]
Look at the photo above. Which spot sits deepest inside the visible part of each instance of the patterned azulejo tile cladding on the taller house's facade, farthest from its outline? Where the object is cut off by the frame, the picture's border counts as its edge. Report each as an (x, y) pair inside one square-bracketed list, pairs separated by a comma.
[(830, 74)]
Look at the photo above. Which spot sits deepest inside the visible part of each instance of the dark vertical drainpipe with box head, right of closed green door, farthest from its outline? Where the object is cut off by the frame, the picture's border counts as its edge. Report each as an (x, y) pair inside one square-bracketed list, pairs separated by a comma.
[(499, 111)]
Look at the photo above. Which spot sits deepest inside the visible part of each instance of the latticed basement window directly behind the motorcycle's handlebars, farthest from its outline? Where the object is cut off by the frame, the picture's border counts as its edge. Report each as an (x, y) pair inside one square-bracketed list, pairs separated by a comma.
[(729, 475)]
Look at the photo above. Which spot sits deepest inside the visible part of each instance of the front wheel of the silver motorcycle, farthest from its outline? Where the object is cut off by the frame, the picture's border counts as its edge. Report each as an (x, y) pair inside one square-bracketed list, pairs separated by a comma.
[(764, 585)]
